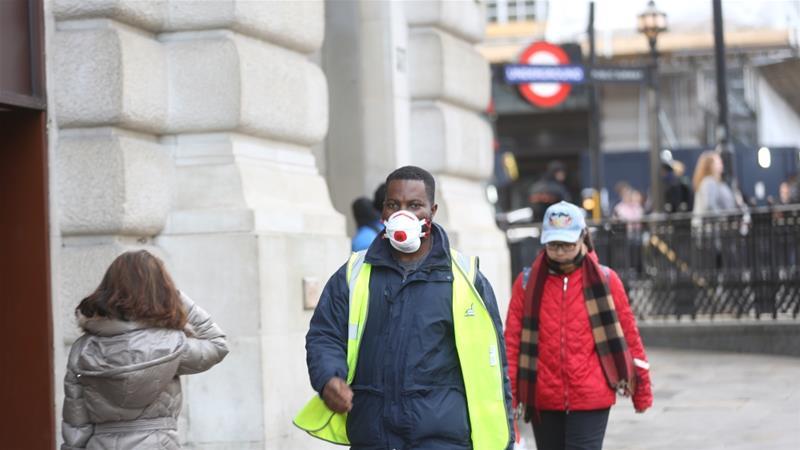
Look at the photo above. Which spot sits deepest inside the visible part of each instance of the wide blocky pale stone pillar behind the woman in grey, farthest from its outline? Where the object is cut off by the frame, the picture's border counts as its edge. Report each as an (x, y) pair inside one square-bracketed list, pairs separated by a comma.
[(185, 127)]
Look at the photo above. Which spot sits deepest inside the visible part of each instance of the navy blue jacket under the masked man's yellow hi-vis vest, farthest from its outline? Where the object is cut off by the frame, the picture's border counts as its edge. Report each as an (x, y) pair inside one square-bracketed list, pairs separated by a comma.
[(408, 390)]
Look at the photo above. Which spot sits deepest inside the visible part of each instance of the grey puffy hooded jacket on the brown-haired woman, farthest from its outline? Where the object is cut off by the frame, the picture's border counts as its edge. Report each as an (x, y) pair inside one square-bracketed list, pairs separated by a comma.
[(122, 389)]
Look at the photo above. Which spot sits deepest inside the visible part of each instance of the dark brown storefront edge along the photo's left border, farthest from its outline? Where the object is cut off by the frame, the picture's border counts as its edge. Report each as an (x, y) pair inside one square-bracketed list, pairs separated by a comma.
[(26, 374)]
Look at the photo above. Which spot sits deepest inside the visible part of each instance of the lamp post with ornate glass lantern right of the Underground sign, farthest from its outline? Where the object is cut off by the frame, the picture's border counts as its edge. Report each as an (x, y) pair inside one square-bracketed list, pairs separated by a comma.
[(651, 23)]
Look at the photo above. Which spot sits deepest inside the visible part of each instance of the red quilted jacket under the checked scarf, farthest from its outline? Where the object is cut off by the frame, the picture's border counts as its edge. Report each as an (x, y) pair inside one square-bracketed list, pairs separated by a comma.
[(569, 374)]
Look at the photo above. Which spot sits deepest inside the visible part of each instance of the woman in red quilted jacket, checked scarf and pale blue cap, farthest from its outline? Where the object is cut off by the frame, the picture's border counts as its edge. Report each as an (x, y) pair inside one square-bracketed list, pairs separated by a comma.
[(572, 339)]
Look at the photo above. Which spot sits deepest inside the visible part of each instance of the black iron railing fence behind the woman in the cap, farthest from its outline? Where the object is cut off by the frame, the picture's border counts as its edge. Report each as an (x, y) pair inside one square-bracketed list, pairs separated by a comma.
[(680, 266)]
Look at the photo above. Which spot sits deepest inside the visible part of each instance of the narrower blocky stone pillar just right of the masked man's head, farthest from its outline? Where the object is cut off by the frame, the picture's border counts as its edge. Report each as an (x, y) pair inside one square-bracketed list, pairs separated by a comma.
[(450, 86)]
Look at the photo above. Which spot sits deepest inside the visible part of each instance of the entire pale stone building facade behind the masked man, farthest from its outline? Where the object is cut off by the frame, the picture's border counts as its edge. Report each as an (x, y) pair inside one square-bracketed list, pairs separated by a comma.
[(225, 137)]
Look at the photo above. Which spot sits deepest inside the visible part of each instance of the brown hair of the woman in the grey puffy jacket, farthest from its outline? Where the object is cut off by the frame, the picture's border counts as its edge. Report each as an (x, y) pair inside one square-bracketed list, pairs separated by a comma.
[(136, 287)]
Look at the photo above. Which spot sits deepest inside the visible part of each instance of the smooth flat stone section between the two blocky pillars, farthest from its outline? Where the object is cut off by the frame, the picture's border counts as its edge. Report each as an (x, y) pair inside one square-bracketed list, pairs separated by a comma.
[(365, 58)]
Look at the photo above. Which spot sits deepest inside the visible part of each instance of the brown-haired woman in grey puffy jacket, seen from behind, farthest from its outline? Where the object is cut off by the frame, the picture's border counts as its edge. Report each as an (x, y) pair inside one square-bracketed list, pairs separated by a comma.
[(122, 389)]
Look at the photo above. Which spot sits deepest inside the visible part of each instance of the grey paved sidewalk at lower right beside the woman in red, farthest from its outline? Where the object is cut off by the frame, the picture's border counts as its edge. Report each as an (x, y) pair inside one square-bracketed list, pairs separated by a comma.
[(711, 400)]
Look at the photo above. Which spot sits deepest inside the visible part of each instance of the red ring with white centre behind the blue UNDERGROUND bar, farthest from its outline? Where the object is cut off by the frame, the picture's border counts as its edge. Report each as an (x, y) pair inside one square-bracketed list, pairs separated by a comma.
[(544, 95)]
